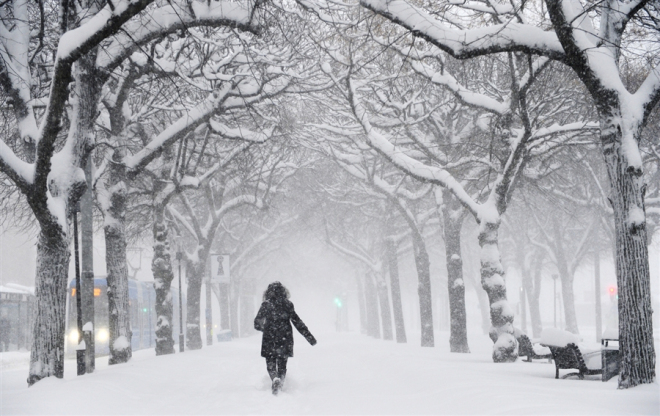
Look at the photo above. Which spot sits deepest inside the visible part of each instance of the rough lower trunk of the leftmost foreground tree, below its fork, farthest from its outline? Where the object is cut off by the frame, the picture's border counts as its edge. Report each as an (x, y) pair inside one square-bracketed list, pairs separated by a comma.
[(47, 354)]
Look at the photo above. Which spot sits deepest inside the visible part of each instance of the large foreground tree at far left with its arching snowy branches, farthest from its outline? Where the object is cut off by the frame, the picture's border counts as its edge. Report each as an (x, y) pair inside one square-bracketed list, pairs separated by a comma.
[(48, 170)]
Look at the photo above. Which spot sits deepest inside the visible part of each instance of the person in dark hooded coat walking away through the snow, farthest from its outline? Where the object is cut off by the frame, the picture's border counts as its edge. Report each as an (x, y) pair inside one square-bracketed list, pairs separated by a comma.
[(274, 319)]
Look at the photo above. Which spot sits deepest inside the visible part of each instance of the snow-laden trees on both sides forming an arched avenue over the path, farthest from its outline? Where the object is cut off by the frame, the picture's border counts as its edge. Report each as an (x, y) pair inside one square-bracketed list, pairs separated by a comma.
[(182, 110)]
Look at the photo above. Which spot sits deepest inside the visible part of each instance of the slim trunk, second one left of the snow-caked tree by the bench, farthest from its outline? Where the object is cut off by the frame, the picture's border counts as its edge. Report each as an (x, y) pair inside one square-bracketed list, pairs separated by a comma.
[(424, 289)]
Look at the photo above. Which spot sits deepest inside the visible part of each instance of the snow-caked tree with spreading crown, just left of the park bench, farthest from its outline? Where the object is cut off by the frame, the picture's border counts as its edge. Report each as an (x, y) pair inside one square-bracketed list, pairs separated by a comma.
[(505, 113)]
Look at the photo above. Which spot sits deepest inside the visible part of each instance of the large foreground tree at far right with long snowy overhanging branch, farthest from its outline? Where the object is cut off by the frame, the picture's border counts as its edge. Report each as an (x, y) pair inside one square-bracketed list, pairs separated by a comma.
[(590, 39)]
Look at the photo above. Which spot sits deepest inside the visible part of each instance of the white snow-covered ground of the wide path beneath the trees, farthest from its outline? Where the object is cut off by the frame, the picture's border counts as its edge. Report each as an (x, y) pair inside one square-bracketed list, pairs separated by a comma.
[(346, 373)]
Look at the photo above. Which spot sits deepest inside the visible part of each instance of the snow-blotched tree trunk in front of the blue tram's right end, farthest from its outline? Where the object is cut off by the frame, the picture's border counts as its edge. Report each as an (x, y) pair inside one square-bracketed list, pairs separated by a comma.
[(161, 267)]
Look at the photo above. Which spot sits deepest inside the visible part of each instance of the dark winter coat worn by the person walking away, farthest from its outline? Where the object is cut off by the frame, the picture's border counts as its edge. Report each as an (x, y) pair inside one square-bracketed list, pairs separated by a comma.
[(274, 319)]
